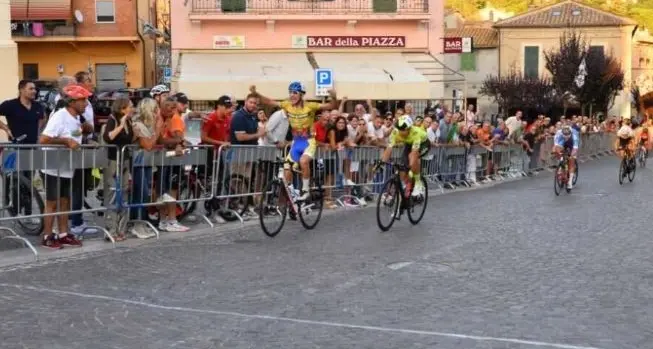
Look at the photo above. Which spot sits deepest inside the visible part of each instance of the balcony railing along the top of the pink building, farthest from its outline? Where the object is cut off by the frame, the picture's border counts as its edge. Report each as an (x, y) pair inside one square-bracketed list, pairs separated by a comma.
[(309, 6)]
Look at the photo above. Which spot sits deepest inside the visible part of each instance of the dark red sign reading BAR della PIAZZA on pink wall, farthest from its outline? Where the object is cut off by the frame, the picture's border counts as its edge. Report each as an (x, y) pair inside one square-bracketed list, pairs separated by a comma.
[(307, 41)]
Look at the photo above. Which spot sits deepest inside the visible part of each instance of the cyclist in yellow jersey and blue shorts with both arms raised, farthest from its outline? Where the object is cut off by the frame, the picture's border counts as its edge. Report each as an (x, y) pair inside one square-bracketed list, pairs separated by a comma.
[(301, 116)]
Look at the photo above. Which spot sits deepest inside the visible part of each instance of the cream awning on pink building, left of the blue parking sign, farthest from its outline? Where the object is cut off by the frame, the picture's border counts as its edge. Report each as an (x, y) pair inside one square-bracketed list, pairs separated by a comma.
[(207, 76)]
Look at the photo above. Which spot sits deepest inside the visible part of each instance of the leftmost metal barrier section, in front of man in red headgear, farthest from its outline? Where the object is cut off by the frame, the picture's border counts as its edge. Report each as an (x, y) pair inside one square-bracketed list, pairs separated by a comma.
[(24, 196)]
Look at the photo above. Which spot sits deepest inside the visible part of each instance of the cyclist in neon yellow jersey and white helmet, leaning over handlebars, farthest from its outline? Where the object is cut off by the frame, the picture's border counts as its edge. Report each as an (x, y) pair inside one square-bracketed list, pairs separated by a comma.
[(416, 144)]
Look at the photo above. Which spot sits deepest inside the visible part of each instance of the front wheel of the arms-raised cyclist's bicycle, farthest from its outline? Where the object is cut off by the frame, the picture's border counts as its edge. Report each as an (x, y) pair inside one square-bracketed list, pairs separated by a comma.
[(274, 204)]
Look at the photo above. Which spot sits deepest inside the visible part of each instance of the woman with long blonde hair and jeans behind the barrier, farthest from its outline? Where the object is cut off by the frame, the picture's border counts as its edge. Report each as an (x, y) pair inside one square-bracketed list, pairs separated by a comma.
[(147, 126)]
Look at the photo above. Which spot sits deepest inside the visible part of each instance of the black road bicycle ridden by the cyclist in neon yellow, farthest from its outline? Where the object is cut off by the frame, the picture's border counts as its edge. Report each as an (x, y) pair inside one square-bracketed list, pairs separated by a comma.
[(391, 197)]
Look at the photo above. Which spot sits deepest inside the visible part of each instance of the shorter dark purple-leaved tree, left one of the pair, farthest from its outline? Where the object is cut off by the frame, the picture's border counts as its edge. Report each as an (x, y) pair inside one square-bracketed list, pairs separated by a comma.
[(514, 91)]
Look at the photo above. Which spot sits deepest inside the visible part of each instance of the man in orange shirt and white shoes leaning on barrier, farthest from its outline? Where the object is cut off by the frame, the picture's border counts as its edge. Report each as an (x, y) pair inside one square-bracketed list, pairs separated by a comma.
[(172, 138)]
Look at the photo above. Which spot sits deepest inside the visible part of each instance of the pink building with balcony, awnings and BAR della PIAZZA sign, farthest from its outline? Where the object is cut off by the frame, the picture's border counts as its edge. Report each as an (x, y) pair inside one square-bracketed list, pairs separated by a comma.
[(379, 49)]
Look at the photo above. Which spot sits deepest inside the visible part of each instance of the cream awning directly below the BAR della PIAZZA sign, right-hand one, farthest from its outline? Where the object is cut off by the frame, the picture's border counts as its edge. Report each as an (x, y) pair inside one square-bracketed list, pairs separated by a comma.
[(374, 75)]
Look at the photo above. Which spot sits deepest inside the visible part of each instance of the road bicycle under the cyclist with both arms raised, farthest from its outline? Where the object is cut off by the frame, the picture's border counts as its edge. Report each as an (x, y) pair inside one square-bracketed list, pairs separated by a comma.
[(280, 200)]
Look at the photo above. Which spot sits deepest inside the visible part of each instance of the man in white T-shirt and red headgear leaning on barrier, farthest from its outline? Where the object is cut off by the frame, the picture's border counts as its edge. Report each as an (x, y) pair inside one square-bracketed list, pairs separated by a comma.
[(63, 128)]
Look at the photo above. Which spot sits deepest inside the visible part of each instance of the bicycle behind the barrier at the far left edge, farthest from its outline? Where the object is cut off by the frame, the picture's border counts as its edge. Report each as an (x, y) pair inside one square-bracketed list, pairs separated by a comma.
[(21, 193)]
